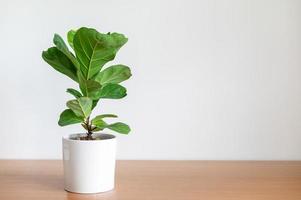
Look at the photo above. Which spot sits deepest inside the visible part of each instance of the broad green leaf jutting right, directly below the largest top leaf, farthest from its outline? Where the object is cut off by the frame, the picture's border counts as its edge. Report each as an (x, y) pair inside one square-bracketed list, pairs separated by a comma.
[(113, 74)]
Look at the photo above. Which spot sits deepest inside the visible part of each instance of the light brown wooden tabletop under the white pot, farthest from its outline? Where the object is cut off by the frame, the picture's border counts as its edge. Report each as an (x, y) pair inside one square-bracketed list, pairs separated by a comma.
[(168, 180)]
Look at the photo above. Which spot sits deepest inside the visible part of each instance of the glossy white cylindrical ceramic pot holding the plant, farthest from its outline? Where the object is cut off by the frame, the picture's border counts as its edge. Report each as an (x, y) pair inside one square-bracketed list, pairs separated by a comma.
[(89, 165)]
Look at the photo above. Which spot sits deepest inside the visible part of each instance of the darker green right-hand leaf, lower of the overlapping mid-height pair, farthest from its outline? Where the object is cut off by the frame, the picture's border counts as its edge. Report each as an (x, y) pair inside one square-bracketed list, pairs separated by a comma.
[(112, 91)]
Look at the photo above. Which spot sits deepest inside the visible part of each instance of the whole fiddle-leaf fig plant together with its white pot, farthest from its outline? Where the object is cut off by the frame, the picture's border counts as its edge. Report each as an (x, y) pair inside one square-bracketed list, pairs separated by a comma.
[(89, 158)]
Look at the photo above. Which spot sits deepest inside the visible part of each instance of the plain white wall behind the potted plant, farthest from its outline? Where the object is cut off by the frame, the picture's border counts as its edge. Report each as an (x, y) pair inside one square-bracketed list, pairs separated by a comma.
[(211, 79)]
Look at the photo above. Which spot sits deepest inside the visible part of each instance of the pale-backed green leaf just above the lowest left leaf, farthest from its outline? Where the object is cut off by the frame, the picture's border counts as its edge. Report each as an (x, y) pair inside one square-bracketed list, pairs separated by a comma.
[(81, 107)]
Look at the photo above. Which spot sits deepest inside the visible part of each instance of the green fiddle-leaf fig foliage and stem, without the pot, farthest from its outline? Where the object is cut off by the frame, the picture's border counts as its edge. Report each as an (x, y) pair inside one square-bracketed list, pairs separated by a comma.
[(85, 64)]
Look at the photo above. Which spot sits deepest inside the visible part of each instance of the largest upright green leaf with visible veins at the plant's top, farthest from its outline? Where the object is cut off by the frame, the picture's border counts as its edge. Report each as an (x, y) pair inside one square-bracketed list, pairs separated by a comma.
[(94, 49)]
